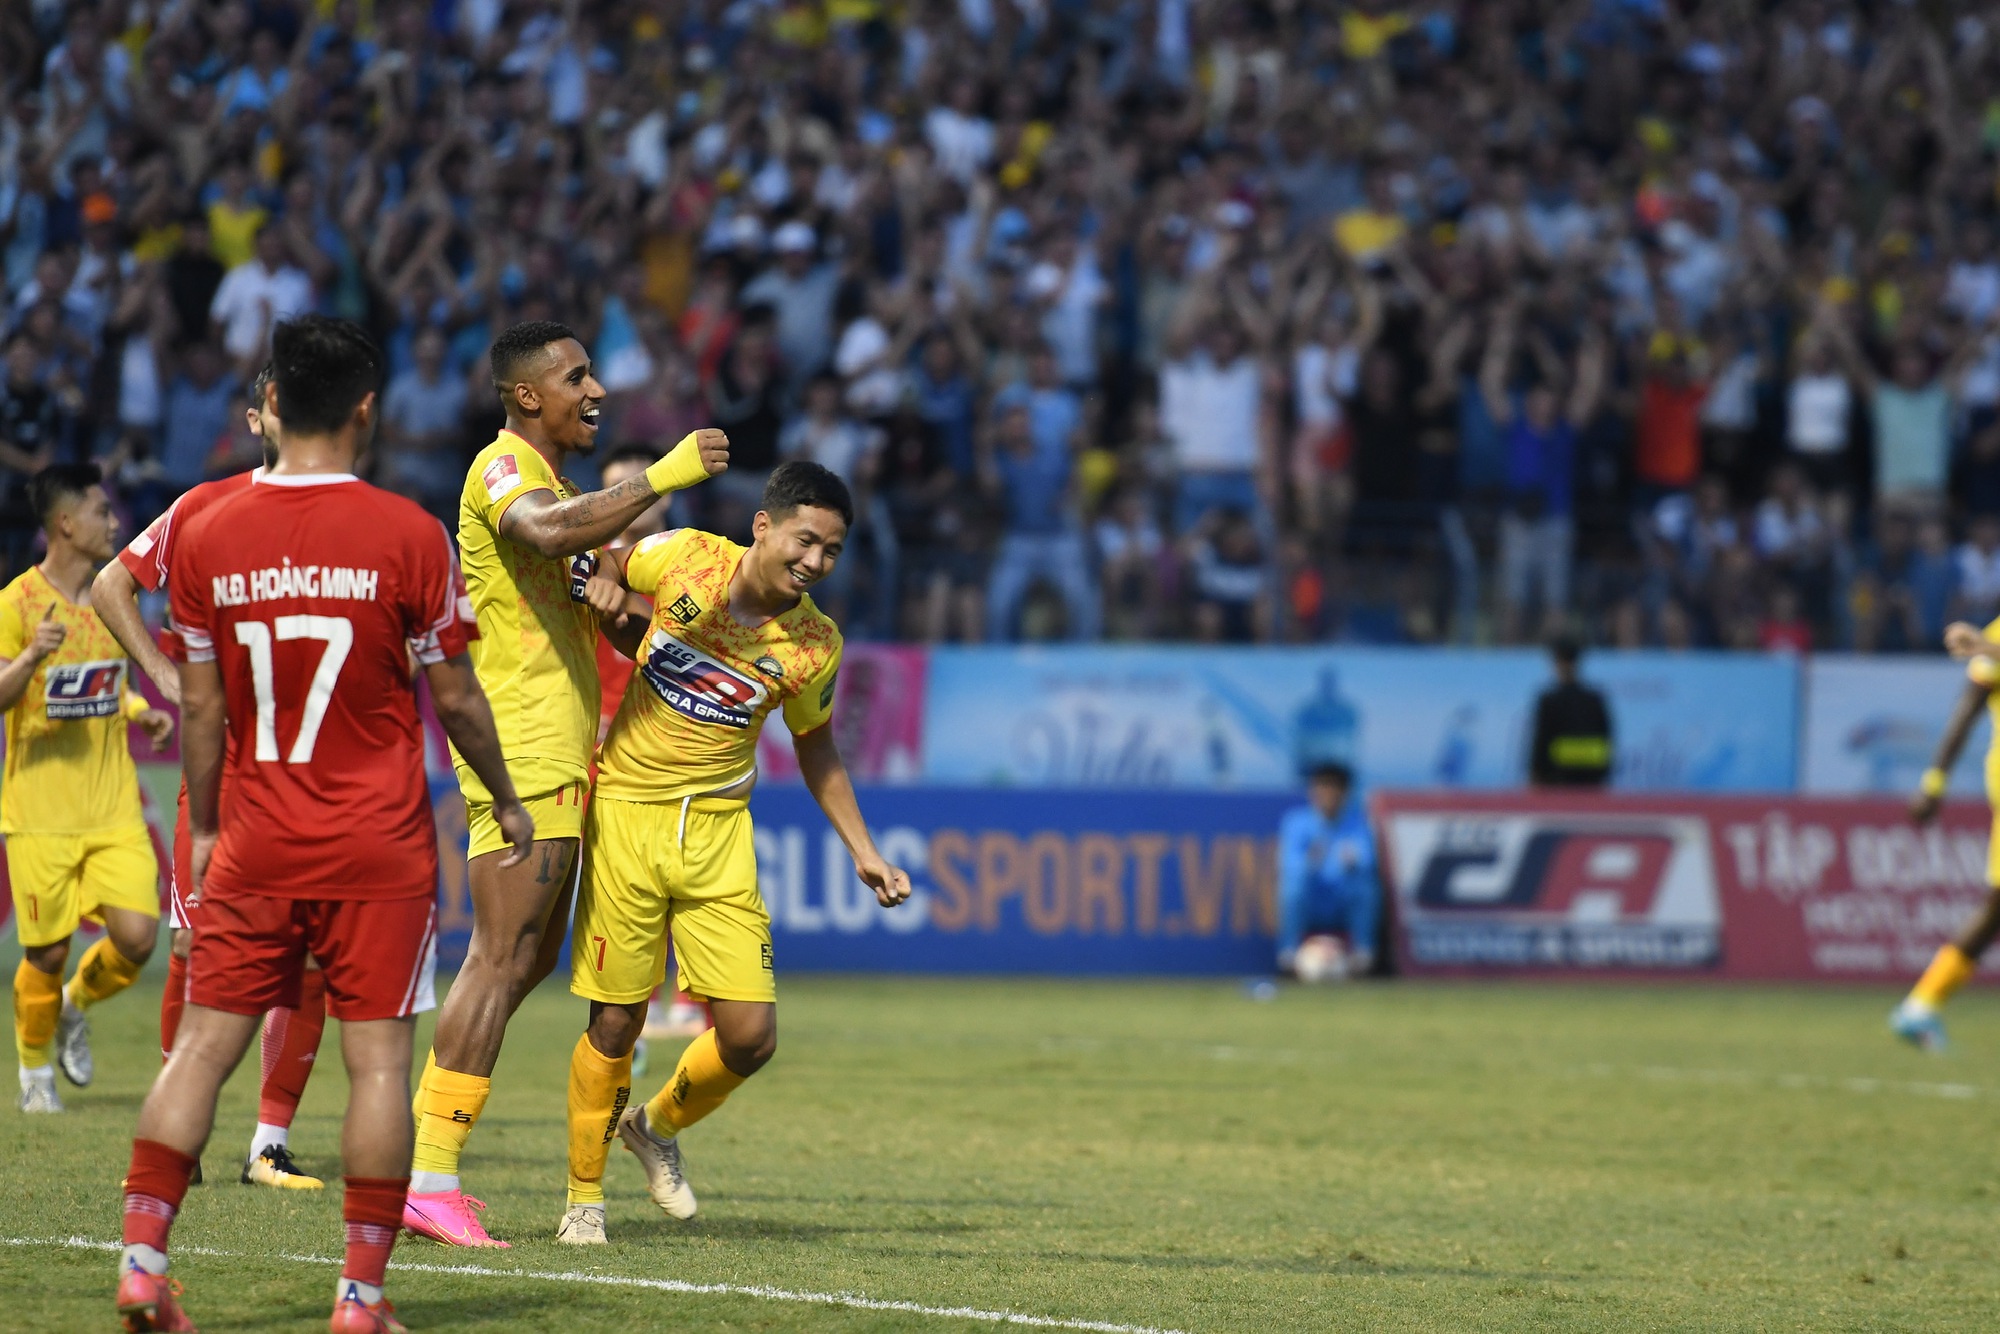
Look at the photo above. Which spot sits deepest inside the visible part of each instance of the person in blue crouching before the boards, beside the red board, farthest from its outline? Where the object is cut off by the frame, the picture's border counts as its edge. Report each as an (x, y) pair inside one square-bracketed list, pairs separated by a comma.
[(1327, 871)]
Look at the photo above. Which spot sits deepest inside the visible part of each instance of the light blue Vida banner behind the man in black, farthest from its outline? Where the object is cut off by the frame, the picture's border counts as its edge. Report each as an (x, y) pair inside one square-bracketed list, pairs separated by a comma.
[(1401, 717)]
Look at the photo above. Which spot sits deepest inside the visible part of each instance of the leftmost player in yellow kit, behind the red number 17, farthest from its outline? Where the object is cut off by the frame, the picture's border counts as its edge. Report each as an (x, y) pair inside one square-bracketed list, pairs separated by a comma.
[(77, 839)]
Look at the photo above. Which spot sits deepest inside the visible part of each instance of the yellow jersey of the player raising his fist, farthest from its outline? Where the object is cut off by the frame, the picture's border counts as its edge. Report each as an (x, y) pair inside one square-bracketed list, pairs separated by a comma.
[(537, 655)]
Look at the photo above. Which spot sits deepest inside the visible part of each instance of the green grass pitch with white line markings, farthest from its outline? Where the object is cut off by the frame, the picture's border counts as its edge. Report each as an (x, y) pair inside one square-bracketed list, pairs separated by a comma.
[(1387, 1157)]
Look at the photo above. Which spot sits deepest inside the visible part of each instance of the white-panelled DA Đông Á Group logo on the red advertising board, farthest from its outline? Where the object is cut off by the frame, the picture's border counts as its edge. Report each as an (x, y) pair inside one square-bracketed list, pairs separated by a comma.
[(1557, 891)]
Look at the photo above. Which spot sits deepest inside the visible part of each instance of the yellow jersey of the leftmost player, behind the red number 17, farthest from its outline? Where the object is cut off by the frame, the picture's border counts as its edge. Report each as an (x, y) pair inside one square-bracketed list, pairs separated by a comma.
[(69, 765)]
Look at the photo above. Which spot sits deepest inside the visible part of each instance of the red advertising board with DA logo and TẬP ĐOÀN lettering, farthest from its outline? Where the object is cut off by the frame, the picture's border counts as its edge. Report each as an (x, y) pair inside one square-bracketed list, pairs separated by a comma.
[(1757, 889)]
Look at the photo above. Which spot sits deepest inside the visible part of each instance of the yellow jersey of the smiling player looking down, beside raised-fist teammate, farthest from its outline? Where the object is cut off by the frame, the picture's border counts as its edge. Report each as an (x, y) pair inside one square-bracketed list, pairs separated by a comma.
[(705, 681)]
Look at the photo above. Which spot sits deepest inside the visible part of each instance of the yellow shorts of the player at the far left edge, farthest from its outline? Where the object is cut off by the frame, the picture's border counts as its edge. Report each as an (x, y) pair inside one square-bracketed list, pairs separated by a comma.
[(61, 879)]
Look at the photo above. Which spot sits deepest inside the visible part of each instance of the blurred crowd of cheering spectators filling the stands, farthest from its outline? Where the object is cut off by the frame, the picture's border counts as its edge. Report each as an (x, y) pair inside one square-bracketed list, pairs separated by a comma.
[(1127, 319)]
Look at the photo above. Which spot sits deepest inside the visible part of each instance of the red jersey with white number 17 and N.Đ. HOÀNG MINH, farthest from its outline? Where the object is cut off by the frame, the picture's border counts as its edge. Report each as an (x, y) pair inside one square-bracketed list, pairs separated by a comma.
[(307, 593)]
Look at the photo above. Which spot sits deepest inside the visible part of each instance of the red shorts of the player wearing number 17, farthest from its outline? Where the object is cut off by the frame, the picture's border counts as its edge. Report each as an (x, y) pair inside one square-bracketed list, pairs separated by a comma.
[(379, 955)]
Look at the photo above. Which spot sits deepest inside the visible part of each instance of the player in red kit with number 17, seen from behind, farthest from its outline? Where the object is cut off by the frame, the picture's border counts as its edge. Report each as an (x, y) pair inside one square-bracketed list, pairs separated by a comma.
[(301, 603)]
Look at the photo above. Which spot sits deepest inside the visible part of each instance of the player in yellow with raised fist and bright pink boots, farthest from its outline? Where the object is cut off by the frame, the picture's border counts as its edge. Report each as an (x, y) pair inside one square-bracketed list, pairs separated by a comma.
[(529, 545)]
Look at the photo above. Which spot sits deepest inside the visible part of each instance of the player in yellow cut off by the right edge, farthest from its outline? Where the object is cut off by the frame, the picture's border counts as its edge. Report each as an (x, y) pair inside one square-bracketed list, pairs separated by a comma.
[(1919, 1017)]
